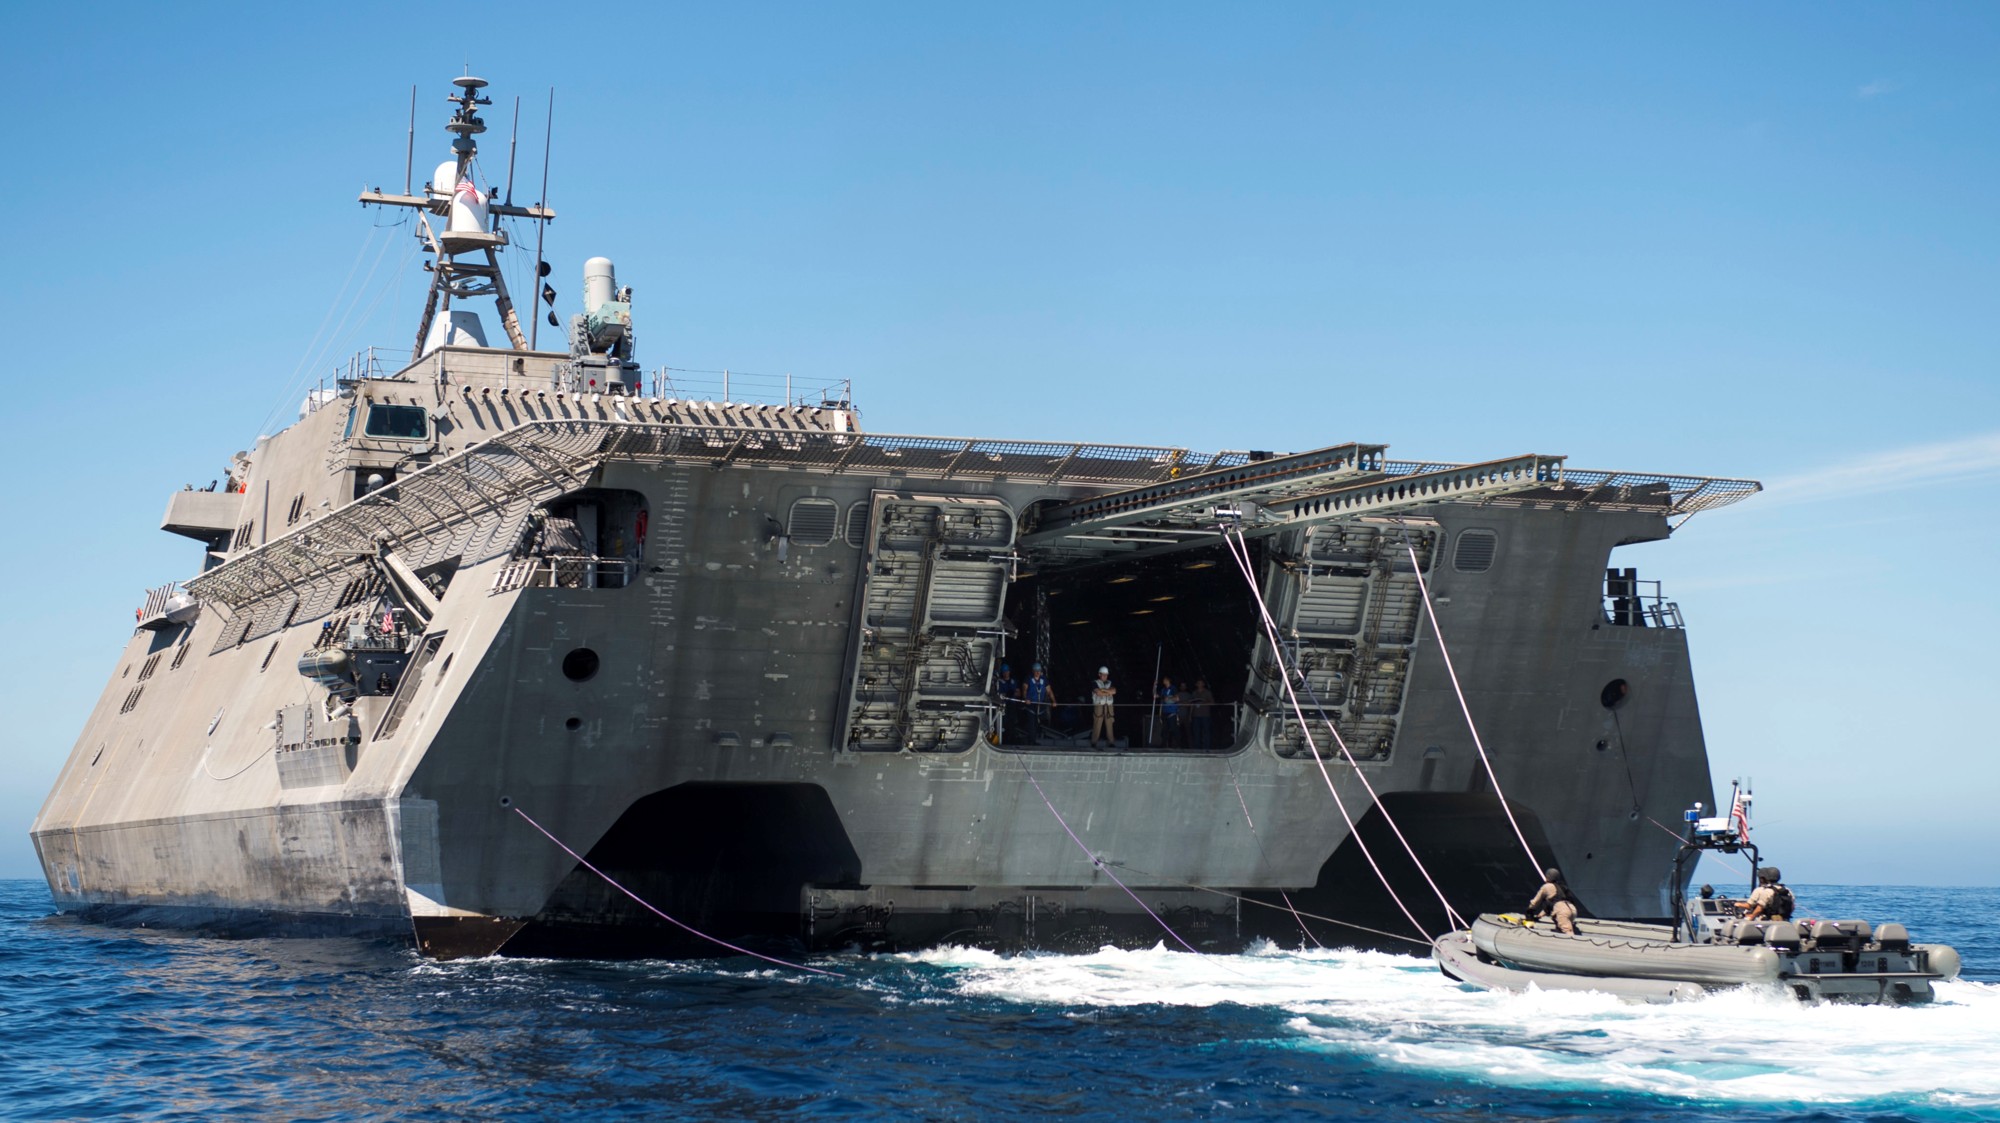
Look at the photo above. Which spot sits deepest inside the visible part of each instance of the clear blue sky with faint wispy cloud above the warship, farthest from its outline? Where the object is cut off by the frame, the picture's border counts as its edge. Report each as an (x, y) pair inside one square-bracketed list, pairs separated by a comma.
[(1735, 241)]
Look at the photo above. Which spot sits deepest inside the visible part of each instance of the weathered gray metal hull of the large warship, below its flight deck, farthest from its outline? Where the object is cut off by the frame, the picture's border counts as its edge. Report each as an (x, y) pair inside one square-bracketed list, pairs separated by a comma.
[(711, 760)]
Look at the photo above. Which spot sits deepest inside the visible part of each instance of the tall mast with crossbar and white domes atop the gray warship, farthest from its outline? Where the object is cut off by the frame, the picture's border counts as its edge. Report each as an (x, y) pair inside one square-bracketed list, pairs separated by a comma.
[(469, 249)]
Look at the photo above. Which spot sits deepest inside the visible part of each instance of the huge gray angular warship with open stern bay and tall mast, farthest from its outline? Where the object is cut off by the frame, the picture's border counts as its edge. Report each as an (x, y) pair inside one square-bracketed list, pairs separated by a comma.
[(741, 654)]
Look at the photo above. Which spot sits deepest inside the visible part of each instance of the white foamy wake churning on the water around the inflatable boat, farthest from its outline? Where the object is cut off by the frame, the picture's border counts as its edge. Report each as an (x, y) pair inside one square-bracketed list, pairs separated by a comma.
[(1397, 1010)]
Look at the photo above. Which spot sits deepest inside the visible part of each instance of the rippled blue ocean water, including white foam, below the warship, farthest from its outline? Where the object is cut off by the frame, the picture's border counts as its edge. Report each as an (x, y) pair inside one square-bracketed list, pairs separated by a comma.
[(137, 1024)]
